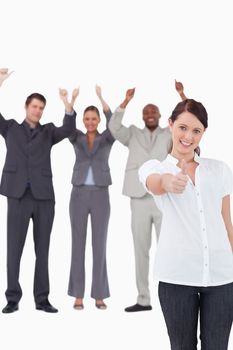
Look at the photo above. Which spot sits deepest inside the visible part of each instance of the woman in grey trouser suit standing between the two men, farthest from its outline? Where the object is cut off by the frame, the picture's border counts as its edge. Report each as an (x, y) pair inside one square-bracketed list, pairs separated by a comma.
[(91, 178)]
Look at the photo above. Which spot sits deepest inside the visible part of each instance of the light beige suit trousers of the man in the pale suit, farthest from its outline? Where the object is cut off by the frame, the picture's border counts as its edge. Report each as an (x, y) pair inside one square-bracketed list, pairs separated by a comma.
[(144, 213)]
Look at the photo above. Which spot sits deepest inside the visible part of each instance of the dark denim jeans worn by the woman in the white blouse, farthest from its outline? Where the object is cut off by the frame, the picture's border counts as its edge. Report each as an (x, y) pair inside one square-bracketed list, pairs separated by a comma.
[(181, 306)]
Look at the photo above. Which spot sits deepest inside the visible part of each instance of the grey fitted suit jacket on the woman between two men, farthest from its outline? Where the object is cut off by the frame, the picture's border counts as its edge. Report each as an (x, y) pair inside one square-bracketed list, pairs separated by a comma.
[(97, 158)]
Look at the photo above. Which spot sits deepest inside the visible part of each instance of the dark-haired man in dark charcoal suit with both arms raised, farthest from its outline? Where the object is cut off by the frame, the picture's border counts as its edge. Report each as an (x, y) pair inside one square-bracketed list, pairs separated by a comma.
[(27, 184)]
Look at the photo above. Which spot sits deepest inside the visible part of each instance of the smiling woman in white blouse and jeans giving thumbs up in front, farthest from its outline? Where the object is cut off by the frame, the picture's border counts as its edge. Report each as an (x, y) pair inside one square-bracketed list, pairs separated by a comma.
[(194, 261)]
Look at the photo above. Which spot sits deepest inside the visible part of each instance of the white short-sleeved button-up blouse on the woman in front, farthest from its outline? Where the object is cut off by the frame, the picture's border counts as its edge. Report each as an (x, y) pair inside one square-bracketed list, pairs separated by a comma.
[(193, 248)]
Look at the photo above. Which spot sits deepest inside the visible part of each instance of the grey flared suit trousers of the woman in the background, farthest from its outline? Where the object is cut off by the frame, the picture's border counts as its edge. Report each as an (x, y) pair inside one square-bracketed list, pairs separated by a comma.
[(87, 200)]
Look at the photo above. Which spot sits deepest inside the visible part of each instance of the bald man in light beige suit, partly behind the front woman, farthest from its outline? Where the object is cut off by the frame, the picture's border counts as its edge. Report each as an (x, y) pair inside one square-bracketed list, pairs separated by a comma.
[(150, 142)]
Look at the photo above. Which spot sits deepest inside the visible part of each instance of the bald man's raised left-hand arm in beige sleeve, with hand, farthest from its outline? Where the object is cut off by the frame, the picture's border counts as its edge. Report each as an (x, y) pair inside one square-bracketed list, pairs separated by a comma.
[(119, 131)]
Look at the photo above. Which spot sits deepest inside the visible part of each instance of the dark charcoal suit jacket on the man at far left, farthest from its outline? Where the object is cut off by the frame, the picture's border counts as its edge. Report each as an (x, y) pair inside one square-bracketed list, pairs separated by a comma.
[(28, 156)]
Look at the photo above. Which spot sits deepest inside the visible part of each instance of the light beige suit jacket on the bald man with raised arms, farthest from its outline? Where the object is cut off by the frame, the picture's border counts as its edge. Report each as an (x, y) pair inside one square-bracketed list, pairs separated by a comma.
[(143, 145)]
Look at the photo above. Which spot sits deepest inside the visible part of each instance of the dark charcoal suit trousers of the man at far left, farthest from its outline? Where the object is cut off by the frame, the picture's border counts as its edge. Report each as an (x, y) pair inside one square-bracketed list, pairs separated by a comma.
[(19, 213)]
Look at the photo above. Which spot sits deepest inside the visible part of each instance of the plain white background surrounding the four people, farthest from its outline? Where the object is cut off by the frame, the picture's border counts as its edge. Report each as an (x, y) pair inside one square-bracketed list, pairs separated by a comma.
[(117, 44)]
